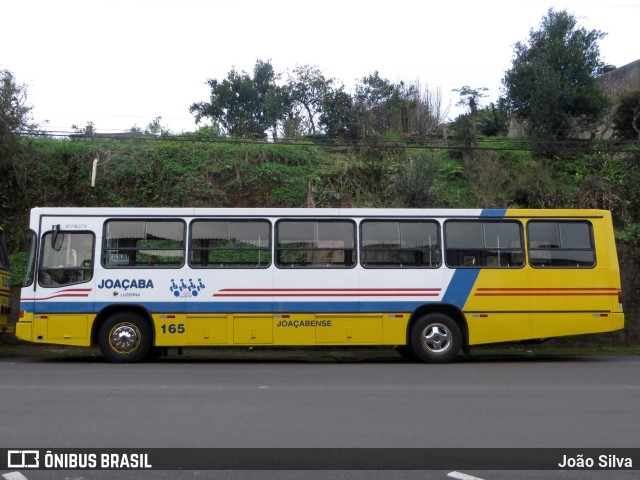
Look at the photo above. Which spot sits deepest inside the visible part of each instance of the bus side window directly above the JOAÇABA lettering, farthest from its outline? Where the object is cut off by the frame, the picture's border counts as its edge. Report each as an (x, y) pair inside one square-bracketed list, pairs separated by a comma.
[(143, 244)]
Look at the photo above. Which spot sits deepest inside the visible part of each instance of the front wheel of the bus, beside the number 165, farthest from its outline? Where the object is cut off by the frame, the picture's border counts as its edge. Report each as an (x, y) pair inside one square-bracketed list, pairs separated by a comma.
[(125, 337)]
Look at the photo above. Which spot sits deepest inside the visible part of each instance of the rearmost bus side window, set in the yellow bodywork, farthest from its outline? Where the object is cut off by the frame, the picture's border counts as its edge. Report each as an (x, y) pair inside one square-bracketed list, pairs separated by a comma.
[(565, 244)]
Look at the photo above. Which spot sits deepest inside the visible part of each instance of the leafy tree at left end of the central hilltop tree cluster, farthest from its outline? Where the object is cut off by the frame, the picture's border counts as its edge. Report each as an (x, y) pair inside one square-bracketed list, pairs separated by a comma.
[(245, 106)]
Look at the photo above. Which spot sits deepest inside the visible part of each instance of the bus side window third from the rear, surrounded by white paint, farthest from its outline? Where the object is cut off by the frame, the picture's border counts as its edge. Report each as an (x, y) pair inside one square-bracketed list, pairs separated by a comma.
[(400, 244)]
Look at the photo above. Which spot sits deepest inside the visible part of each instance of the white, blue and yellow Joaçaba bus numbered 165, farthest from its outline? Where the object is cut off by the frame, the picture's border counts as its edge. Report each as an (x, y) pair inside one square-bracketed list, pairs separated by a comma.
[(432, 283)]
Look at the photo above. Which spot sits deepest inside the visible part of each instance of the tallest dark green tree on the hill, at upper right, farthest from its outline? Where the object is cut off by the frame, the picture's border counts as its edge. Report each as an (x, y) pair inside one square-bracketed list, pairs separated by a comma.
[(551, 86)]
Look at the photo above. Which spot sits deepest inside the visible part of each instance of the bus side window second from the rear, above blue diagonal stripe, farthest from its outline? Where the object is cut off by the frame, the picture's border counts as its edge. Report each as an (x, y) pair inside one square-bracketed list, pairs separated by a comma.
[(477, 243)]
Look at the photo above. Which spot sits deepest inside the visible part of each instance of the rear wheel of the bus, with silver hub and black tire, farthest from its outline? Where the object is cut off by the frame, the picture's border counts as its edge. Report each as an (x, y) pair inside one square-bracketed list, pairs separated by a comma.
[(436, 338)]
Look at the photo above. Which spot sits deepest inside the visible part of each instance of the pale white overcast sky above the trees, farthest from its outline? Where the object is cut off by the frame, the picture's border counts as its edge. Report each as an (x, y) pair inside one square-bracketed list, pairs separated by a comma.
[(120, 63)]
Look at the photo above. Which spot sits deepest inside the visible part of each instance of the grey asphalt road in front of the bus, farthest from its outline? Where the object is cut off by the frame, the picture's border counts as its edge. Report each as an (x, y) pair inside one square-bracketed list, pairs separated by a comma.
[(550, 402)]
